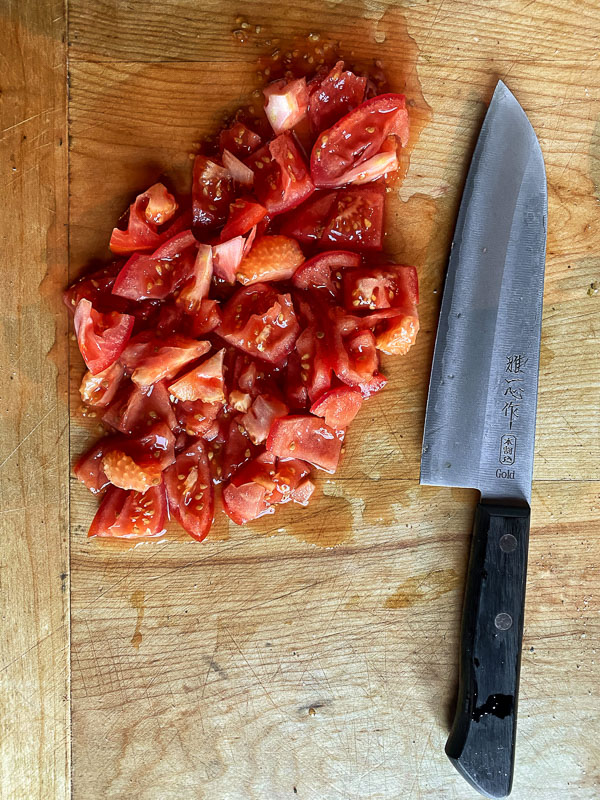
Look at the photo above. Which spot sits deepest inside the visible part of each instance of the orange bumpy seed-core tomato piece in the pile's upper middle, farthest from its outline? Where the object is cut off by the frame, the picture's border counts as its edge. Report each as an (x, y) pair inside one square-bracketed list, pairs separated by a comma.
[(272, 258)]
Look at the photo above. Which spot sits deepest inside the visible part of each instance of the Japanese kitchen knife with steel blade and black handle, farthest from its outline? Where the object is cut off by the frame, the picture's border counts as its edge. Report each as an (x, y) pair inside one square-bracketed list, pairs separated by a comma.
[(480, 423)]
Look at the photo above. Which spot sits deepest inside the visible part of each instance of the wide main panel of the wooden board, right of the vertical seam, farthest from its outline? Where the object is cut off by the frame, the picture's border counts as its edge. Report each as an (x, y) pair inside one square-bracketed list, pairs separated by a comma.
[(262, 664)]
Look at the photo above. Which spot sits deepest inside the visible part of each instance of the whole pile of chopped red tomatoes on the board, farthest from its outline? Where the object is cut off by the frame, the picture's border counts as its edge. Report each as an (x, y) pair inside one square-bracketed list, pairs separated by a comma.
[(235, 336)]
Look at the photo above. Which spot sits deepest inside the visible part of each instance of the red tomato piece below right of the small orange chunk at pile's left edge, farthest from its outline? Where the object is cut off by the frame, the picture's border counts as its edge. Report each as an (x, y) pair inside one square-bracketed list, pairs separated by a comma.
[(140, 408)]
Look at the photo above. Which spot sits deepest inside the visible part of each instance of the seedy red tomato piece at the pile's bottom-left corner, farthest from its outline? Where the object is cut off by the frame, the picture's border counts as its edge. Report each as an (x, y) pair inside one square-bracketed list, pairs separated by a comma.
[(131, 515)]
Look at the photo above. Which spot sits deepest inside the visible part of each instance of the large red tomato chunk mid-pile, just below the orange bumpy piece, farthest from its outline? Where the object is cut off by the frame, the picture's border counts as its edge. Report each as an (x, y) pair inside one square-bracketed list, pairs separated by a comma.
[(260, 322)]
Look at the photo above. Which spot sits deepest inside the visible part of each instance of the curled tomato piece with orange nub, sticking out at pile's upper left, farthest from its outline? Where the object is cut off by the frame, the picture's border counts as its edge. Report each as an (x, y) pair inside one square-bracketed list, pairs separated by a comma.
[(150, 210)]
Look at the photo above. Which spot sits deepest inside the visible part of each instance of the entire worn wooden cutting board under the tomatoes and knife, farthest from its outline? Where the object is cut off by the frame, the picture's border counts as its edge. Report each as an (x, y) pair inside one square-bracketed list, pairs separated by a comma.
[(313, 654)]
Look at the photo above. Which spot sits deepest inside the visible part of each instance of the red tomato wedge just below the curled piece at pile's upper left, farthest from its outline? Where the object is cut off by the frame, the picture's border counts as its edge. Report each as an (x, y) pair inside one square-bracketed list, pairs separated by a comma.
[(156, 276)]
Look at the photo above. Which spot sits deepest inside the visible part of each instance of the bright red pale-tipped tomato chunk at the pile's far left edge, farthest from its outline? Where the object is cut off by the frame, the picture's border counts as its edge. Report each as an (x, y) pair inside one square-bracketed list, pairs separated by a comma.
[(101, 337)]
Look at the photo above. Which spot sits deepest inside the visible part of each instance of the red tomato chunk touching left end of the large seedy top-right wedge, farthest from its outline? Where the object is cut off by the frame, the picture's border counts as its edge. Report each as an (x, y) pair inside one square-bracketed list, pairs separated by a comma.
[(281, 178)]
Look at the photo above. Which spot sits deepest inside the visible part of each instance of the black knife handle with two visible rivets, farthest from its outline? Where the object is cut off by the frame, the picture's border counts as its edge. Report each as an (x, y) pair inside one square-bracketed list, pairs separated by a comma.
[(481, 744)]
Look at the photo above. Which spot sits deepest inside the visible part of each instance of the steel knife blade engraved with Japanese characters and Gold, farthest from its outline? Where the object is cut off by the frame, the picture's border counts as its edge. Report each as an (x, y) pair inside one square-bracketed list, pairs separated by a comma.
[(480, 421)]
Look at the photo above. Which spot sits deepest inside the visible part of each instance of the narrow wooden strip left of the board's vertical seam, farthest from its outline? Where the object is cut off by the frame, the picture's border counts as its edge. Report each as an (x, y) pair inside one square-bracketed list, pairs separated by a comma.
[(34, 462)]
